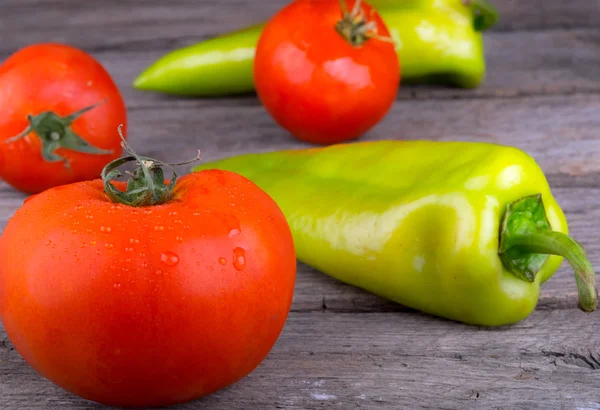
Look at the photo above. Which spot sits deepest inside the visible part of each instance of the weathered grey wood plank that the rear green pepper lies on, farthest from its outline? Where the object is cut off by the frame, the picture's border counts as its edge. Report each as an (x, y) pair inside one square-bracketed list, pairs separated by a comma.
[(556, 62)]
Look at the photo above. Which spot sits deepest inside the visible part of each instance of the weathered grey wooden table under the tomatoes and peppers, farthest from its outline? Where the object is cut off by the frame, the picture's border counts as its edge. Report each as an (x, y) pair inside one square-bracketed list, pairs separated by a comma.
[(341, 347)]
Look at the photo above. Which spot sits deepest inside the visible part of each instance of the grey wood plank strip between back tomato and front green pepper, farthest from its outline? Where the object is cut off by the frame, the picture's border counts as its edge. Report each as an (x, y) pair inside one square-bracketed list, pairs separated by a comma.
[(561, 132)]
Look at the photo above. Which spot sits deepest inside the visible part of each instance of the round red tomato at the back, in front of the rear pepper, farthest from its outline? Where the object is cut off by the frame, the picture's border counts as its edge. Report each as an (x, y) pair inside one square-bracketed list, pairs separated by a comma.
[(321, 84)]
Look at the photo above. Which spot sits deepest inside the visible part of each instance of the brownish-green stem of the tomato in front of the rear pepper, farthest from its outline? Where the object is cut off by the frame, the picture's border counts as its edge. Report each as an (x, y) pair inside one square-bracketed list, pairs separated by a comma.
[(354, 26)]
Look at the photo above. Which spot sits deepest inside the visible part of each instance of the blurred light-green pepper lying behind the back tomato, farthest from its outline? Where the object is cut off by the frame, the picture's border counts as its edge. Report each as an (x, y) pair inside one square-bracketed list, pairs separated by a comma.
[(438, 41)]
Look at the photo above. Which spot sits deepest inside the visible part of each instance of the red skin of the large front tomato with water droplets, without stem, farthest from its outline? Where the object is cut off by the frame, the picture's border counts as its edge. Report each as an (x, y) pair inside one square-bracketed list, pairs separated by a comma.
[(144, 307)]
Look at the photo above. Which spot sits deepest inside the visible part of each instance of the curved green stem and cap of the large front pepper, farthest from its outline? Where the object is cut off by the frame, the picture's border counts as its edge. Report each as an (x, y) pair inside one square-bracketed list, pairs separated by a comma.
[(526, 240)]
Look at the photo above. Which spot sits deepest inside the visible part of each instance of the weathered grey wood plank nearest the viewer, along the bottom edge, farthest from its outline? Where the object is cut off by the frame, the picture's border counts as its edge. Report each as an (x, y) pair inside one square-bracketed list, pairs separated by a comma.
[(390, 360)]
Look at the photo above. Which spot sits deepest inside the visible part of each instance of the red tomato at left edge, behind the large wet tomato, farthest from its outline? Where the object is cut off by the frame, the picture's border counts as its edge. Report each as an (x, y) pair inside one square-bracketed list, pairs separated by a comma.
[(51, 82)]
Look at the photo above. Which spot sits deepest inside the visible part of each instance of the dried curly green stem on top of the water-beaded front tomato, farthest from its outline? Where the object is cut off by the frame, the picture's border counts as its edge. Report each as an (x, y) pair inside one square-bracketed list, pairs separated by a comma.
[(146, 185)]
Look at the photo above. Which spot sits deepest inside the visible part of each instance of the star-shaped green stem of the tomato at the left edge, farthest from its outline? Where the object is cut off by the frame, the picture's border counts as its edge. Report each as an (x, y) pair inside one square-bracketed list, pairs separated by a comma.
[(55, 132)]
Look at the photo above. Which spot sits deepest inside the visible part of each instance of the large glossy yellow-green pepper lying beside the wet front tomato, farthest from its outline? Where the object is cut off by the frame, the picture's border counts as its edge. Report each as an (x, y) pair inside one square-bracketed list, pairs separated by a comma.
[(462, 230)]
